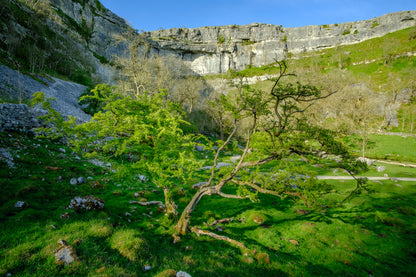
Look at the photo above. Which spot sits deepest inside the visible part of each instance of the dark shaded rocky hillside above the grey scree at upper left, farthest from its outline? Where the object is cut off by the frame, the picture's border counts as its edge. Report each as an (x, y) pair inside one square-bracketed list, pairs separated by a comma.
[(67, 39)]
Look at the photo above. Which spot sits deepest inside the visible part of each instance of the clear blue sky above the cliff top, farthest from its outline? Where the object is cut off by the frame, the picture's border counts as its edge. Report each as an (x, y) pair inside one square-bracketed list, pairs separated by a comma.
[(150, 15)]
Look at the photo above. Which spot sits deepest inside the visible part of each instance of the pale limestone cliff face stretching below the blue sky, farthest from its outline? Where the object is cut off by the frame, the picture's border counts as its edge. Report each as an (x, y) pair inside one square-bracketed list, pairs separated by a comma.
[(212, 50)]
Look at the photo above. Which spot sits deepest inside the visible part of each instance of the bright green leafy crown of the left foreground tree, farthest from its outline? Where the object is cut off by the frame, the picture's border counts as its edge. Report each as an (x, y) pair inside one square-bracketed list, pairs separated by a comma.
[(147, 127)]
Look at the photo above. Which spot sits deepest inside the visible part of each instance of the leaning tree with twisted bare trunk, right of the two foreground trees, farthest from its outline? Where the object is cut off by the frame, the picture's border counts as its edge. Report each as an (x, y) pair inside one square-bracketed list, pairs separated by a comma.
[(277, 130)]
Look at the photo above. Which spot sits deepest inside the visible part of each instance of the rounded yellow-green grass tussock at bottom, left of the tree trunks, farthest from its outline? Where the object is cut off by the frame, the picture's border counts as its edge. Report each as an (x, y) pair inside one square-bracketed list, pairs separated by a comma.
[(129, 244)]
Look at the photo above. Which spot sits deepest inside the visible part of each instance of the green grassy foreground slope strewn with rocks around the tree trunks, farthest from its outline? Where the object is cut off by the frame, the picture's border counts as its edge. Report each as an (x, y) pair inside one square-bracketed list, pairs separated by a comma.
[(374, 234)]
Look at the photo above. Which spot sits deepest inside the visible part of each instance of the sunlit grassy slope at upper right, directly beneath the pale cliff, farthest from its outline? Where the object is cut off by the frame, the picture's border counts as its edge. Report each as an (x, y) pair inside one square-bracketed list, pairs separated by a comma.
[(386, 64)]
